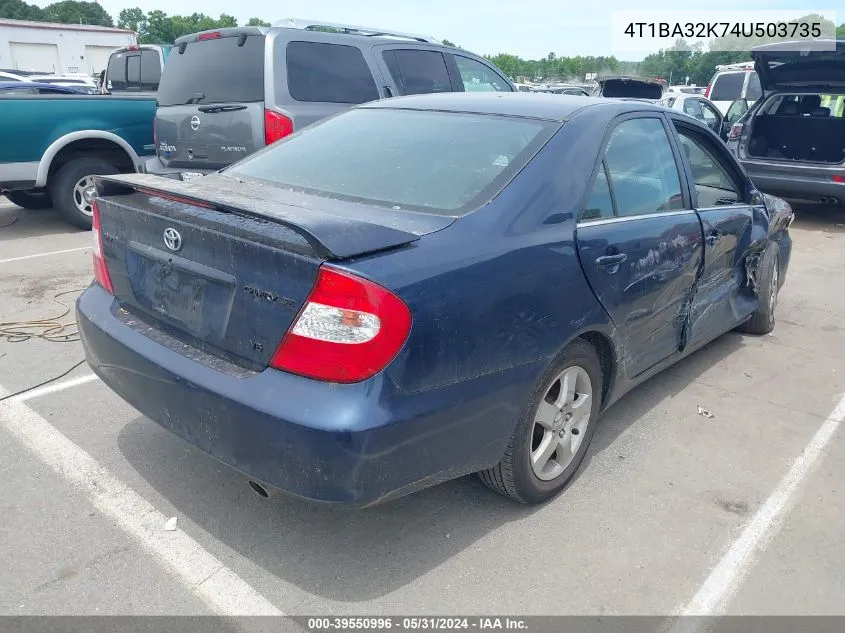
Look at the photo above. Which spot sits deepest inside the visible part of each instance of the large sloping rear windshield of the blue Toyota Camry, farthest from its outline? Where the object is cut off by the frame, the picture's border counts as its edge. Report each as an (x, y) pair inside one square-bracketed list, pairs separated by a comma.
[(438, 162)]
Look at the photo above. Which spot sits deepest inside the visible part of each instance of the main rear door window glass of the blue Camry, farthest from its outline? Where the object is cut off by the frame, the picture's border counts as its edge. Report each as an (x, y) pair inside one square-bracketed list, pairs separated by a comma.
[(642, 168)]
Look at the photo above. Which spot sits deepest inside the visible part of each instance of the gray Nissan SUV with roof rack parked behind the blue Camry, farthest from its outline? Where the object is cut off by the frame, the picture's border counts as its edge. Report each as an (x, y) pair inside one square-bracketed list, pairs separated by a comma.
[(227, 93)]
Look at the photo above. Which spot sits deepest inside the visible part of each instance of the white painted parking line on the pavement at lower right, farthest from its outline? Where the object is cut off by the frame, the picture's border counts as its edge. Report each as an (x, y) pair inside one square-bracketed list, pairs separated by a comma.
[(727, 576)]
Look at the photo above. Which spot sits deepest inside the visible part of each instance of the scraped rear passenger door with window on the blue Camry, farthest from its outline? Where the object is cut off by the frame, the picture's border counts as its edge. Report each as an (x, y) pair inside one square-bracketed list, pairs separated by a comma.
[(640, 242)]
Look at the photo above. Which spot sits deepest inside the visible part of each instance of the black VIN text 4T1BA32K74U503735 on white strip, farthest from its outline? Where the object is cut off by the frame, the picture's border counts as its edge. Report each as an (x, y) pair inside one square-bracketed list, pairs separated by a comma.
[(801, 30)]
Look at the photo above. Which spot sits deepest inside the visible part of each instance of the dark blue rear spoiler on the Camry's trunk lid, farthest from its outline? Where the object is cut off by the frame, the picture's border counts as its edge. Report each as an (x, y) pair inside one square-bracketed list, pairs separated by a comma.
[(330, 236)]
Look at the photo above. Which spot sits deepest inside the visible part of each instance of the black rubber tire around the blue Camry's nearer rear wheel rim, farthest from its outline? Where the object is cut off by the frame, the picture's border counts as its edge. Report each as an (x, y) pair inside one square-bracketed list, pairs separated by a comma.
[(514, 476)]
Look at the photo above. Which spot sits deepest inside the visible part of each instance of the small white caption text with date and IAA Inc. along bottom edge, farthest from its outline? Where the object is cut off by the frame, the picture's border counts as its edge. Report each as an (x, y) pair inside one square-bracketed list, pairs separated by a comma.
[(414, 623)]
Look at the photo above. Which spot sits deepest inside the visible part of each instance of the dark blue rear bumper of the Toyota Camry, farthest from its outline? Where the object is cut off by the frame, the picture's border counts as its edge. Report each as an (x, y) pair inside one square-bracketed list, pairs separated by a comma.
[(354, 444)]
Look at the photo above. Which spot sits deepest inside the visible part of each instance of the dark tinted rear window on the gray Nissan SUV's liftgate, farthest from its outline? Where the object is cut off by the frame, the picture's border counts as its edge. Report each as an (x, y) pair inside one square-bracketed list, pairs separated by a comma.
[(214, 71)]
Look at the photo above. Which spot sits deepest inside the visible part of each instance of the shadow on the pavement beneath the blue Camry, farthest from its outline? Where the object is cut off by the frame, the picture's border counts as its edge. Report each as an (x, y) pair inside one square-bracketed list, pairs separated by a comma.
[(350, 555)]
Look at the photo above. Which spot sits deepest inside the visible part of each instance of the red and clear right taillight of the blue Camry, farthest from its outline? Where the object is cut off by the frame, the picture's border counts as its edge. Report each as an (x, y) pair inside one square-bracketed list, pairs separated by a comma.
[(348, 330)]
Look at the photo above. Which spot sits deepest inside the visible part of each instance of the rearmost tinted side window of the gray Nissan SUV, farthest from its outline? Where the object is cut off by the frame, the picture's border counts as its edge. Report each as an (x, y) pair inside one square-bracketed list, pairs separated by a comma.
[(329, 73)]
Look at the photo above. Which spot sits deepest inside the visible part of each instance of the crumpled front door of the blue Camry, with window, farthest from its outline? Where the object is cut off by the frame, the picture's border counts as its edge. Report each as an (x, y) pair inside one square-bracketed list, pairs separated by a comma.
[(731, 226)]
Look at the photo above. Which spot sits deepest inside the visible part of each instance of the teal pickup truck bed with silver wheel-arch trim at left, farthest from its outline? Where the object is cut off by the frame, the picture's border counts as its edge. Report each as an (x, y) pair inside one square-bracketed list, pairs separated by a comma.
[(52, 145)]
